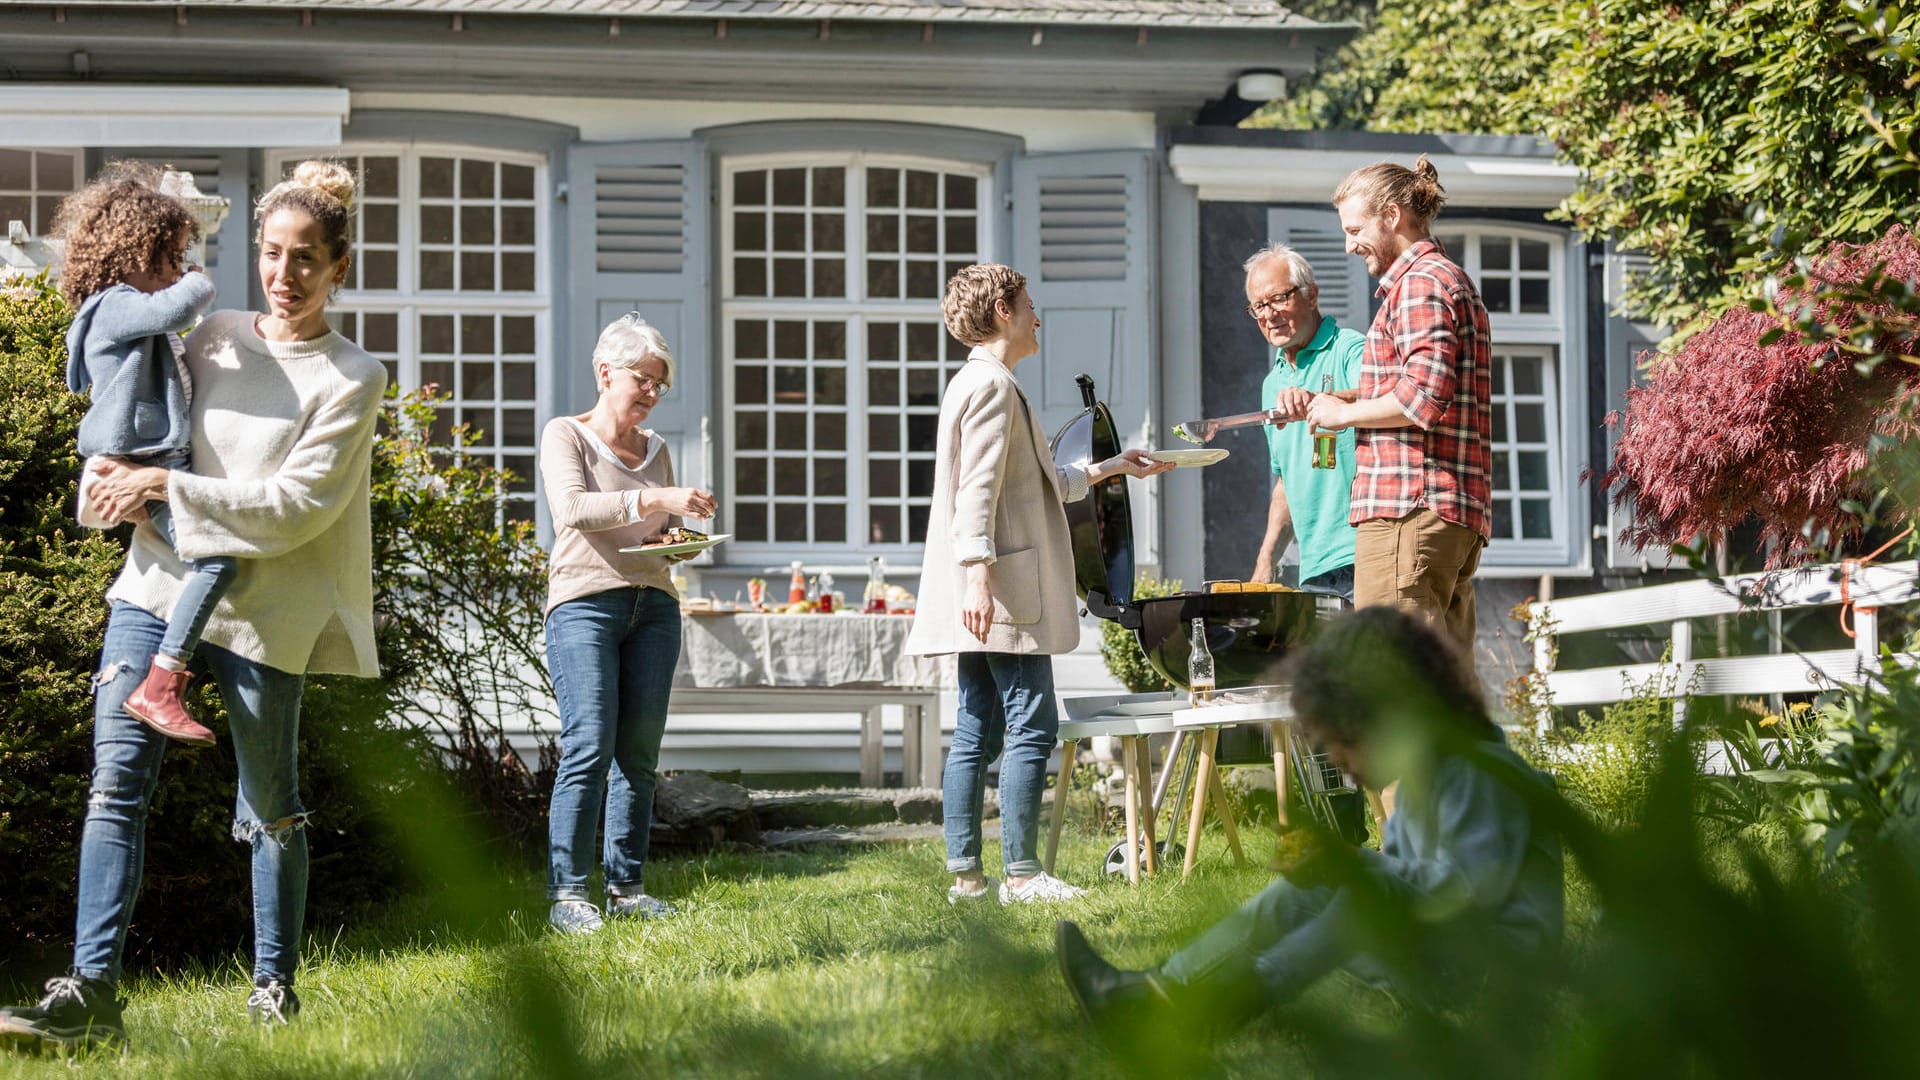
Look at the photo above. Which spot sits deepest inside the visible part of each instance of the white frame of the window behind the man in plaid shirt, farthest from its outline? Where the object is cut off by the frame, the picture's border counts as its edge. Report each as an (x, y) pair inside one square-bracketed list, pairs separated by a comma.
[(1560, 330)]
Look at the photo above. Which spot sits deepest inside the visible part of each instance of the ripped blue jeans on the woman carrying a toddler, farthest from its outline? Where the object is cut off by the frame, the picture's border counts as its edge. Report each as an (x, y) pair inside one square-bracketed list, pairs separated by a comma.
[(264, 716)]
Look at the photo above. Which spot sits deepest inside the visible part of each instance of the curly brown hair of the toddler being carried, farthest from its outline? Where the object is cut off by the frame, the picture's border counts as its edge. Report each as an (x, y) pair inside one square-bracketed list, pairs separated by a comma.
[(118, 226)]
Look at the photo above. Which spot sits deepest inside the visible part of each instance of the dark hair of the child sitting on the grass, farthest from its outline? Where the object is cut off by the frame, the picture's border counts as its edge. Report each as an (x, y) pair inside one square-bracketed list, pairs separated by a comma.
[(1380, 664)]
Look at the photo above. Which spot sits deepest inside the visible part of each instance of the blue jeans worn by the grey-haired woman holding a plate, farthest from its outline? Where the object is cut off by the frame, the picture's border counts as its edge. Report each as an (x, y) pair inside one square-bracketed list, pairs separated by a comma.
[(613, 658)]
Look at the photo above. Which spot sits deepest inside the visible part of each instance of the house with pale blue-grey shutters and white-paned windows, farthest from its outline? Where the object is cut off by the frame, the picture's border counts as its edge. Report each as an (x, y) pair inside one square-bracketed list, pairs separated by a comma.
[(784, 187)]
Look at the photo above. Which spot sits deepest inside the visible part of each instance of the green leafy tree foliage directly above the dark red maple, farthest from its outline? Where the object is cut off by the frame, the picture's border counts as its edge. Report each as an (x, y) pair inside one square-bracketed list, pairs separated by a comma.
[(1714, 137)]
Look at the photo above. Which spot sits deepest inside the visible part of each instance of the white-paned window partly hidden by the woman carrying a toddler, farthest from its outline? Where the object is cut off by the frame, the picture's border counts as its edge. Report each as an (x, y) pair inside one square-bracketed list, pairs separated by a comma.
[(448, 289)]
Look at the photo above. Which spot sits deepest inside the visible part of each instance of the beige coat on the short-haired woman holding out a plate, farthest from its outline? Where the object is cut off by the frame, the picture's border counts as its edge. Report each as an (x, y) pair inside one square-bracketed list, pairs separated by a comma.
[(997, 499)]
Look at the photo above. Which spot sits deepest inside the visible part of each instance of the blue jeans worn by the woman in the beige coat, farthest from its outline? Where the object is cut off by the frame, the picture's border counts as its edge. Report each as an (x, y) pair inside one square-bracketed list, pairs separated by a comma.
[(1007, 702)]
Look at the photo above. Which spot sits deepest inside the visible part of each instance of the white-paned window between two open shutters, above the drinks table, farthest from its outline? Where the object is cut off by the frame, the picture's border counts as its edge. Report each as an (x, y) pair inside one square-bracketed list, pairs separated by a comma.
[(836, 355)]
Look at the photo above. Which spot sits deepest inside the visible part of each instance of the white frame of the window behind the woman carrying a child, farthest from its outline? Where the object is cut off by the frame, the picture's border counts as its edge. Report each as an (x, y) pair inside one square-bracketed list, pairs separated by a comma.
[(408, 303)]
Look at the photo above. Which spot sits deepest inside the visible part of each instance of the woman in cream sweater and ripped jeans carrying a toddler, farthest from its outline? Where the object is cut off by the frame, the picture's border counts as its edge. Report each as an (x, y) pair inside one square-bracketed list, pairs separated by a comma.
[(283, 426)]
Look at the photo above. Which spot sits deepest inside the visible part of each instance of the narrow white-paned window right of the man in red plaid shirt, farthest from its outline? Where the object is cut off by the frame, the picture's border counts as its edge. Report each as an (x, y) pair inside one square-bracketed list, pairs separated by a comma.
[(1537, 495)]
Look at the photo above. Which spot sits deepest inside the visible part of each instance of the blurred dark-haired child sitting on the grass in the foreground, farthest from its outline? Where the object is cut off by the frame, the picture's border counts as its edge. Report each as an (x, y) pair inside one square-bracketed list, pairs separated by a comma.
[(1466, 877)]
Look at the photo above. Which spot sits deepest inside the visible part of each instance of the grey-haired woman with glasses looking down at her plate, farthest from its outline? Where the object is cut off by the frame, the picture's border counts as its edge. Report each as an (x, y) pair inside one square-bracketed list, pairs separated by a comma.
[(613, 624)]
